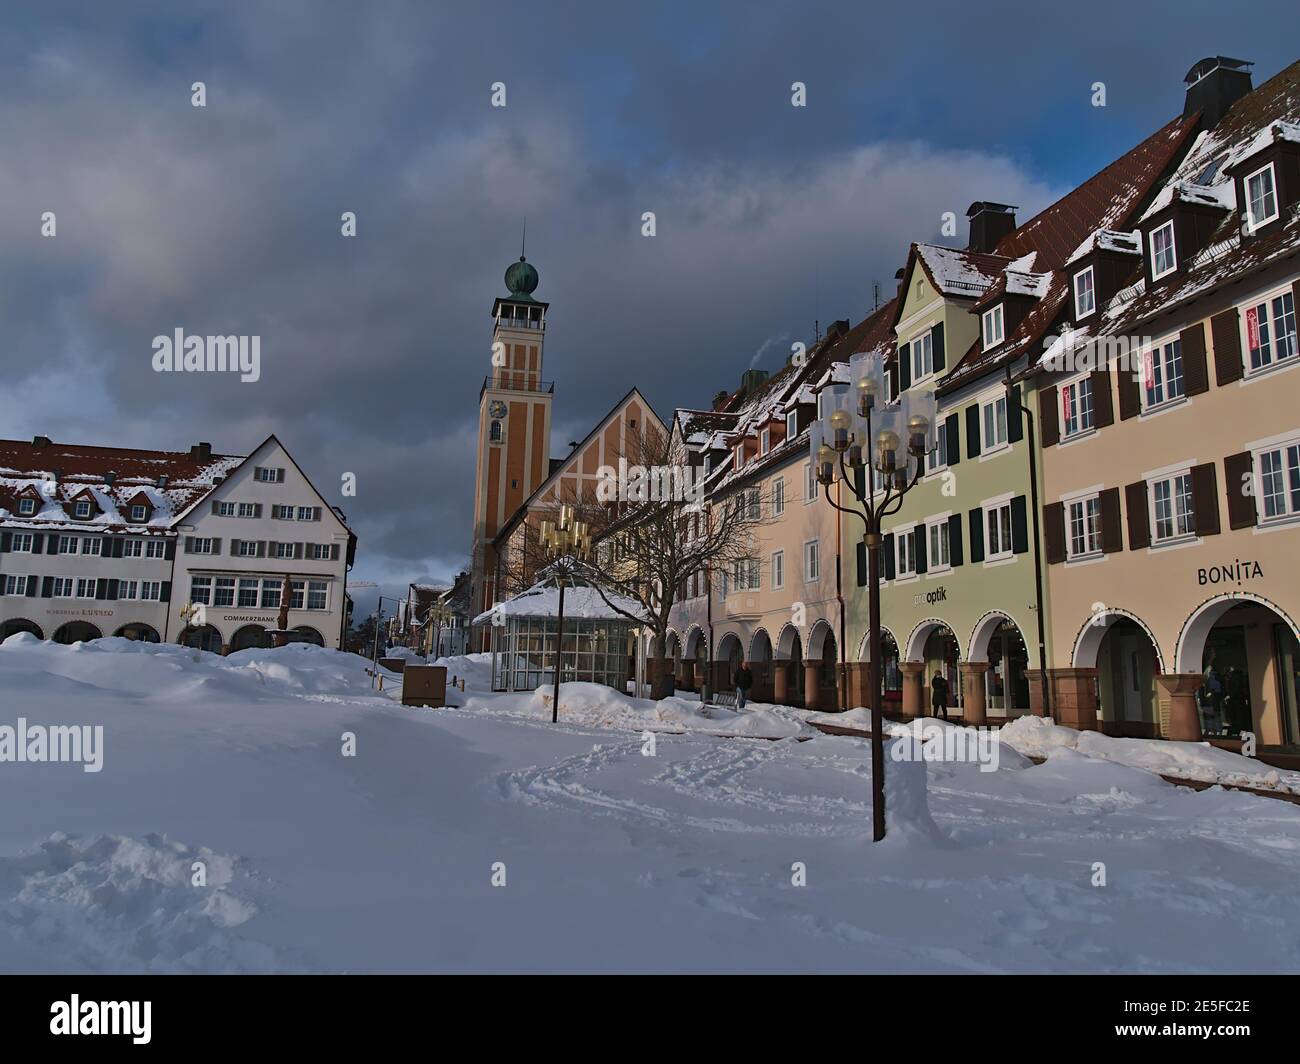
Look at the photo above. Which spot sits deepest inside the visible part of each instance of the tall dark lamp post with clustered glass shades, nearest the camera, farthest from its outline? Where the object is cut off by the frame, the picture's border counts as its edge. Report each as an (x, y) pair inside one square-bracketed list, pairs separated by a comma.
[(860, 435)]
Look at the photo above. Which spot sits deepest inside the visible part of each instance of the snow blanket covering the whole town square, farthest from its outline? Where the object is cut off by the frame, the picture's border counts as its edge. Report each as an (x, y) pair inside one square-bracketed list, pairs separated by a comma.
[(613, 860)]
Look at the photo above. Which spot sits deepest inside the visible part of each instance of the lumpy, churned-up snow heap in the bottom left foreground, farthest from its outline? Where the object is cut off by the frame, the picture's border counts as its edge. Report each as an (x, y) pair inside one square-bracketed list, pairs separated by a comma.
[(131, 905)]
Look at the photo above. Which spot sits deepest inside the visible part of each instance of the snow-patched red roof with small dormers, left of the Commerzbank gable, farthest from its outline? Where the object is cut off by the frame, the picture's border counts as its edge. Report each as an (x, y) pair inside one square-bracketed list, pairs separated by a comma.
[(59, 473)]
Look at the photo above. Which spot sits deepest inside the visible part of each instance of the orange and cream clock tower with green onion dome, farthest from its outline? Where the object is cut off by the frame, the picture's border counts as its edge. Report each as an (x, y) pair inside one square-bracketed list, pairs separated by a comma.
[(514, 423)]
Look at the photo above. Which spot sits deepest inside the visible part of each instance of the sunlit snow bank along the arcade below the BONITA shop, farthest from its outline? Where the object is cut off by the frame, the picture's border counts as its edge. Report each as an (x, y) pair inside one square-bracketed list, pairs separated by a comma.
[(1038, 737)]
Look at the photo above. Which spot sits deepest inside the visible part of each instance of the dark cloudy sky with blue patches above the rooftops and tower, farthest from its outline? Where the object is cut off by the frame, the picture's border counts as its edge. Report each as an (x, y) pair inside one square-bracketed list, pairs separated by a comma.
[(227, 219)]
